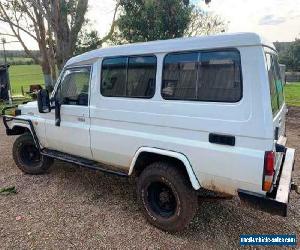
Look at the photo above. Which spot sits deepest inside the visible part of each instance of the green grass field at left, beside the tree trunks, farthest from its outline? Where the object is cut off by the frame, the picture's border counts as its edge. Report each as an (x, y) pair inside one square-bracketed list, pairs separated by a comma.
[(24, 75)]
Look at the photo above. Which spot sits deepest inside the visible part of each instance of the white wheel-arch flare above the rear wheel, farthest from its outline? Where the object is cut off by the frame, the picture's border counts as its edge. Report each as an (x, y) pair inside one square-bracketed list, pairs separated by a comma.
[(193, 179)]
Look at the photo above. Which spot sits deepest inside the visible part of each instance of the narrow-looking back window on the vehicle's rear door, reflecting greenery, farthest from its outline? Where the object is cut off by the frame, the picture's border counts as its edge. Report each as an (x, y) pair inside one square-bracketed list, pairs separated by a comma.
[(275, 81)]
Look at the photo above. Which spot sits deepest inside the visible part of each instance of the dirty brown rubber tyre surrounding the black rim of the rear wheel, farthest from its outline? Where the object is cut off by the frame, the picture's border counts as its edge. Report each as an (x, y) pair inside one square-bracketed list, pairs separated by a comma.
[(185, 196)]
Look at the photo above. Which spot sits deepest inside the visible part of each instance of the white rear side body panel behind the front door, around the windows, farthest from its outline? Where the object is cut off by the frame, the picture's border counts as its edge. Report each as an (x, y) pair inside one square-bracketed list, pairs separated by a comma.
[(120, 126)]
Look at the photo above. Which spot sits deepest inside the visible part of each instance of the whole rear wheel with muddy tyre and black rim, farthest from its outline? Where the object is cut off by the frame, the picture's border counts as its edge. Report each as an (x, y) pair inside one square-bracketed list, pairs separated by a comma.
[(166, 196)]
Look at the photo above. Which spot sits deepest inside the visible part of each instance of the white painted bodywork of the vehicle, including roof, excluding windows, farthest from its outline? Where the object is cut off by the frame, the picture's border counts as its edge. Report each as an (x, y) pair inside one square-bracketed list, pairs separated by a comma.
[(118, 129)]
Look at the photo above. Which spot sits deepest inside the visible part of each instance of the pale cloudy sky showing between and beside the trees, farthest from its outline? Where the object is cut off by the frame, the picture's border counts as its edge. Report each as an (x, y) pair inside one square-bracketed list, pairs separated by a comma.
[(276, 20)]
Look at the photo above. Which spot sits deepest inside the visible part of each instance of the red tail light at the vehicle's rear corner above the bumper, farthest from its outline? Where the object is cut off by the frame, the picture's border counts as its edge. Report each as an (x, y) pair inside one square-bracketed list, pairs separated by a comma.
[(268, 170)]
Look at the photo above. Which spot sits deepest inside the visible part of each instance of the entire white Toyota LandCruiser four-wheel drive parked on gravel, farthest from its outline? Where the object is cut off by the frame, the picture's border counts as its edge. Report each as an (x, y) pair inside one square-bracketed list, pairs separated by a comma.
[(180, 115)]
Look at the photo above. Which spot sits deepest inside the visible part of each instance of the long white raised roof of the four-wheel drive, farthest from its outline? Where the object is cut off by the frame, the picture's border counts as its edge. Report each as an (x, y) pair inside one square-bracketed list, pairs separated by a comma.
[(178, 44)]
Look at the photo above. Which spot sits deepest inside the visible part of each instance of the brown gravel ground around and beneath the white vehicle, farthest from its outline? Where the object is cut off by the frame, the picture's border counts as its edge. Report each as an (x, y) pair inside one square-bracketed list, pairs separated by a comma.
[(72, 207)]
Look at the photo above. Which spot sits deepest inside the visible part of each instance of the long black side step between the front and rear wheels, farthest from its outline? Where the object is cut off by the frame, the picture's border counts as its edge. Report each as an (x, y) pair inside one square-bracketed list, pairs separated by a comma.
[(82, 162)]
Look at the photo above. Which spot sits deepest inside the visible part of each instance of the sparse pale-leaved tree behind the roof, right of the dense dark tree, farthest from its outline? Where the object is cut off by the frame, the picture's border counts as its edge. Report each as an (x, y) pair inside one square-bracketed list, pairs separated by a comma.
[(205, 23)]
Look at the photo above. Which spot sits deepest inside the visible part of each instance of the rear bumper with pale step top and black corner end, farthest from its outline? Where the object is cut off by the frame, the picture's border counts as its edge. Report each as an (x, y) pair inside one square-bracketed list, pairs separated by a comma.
[(279, 203)]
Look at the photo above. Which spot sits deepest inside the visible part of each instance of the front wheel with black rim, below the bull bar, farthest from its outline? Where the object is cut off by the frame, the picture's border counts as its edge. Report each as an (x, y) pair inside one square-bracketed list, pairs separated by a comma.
[(28, 157)]
